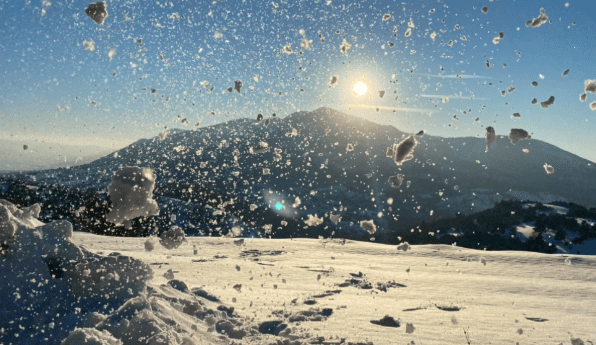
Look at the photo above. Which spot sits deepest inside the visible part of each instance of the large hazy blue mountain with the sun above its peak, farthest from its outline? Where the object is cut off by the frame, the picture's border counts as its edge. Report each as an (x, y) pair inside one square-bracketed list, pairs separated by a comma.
[(332, 164)]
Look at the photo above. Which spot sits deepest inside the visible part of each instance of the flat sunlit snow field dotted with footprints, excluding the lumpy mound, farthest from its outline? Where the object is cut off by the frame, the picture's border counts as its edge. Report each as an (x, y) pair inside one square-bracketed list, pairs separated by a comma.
[(498, 294)]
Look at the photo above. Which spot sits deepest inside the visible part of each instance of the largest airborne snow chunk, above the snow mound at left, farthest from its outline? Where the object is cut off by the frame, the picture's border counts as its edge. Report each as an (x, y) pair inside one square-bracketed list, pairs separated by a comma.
[(131, 193)]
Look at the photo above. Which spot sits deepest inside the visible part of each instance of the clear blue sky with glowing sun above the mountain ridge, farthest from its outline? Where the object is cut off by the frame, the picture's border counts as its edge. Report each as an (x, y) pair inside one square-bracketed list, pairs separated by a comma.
[(152, 60)]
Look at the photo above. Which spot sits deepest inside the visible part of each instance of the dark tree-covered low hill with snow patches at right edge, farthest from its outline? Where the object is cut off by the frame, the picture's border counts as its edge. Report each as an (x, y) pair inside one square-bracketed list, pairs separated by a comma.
[(513, 225)]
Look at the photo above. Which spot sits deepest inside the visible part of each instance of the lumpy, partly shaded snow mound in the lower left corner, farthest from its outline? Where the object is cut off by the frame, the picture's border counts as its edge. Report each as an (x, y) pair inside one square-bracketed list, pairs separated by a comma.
[(61, 293)]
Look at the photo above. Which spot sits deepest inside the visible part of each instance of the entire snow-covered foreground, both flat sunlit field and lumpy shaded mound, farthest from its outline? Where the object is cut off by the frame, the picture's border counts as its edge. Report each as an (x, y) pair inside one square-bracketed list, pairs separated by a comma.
[(259, 291)]
